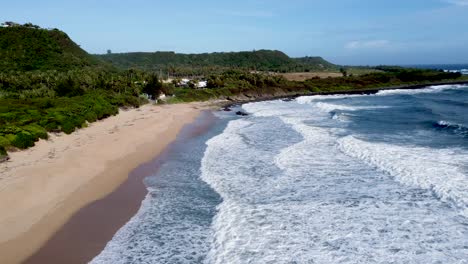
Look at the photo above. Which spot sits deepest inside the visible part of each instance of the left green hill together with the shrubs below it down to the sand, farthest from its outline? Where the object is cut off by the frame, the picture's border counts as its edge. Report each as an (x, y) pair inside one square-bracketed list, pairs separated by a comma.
[(48, 83)]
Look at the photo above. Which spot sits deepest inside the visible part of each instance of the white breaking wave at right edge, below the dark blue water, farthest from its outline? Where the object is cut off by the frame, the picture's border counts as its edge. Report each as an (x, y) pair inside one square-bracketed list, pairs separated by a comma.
[(438, 170)]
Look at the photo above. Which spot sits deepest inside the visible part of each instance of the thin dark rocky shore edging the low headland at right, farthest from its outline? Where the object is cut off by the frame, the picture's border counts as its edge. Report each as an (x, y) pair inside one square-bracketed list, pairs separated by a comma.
[(233, 101)]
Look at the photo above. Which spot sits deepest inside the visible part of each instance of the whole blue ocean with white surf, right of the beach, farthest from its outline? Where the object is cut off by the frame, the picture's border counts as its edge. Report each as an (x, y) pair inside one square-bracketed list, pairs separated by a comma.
[(321, 179)]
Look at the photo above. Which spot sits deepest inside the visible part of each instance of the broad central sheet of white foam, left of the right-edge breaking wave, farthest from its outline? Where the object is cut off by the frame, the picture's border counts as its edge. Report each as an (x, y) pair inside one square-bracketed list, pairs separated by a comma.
[(310, 203)]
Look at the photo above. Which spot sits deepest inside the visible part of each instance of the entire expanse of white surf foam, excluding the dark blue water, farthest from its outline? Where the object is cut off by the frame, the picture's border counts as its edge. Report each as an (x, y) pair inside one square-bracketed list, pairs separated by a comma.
[(299, 193)]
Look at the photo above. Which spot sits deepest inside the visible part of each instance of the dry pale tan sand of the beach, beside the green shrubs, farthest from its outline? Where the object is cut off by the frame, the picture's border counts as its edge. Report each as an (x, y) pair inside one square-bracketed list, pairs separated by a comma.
[(42, 187)]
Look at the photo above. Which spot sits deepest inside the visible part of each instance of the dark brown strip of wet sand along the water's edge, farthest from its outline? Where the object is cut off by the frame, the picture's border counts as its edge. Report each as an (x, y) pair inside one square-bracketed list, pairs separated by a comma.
[(94, 225)]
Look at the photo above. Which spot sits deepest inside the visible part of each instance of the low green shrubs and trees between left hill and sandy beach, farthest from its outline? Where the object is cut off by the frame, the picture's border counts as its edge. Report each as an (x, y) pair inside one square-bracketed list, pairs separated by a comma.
[(34, 103)]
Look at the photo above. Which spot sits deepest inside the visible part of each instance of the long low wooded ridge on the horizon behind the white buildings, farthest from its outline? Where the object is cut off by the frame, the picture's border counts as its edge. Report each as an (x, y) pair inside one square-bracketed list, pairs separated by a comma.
[(208, 63)]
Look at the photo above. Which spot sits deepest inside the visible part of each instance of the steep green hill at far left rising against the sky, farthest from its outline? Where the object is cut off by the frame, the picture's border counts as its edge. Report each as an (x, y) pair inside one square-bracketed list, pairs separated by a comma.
[(28, 47)]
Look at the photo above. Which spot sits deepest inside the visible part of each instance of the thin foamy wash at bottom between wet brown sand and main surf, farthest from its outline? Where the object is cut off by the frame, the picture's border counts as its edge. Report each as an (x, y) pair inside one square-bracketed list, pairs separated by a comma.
[(154, 235)]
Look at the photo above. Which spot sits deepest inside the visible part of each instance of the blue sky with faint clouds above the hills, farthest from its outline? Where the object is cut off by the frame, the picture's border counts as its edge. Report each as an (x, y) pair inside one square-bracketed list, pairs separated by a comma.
[(348, 32)]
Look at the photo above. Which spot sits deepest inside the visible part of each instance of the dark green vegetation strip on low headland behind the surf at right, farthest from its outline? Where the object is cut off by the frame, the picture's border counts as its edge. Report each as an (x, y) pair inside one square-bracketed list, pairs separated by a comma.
[(248, 86)]
